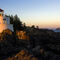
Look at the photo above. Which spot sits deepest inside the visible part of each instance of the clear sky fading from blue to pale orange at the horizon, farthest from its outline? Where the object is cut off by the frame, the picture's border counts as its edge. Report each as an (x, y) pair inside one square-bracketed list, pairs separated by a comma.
[(42, 13)]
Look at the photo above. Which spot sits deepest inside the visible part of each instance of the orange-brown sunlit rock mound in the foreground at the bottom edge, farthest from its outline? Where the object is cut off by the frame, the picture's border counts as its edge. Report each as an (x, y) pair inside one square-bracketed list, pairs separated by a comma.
[(23, 55)]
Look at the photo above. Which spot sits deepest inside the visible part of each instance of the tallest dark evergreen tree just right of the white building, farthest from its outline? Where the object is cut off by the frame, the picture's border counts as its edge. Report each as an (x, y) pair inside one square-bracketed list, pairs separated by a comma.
[(17, 24)]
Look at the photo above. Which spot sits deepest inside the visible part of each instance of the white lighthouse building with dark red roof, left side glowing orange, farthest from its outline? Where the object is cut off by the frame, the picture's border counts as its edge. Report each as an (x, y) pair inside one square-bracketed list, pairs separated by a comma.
[(4, 22)]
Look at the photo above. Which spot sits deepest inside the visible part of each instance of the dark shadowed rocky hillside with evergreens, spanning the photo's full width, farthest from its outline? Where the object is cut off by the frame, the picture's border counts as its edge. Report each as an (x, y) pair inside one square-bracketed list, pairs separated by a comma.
[(43, 44)]
